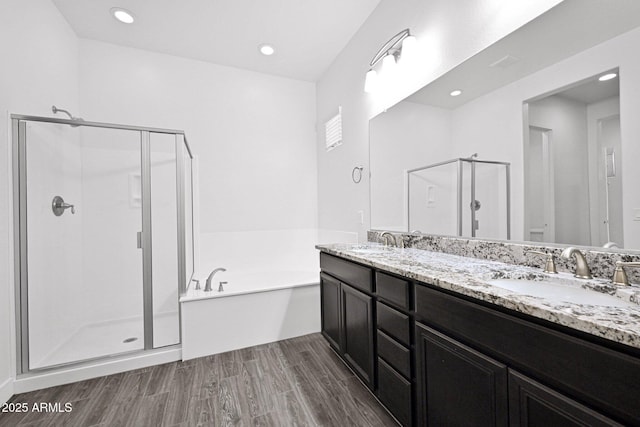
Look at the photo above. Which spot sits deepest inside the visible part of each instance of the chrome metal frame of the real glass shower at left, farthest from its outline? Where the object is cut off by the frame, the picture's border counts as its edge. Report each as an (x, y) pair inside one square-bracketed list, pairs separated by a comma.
[(19, 176)]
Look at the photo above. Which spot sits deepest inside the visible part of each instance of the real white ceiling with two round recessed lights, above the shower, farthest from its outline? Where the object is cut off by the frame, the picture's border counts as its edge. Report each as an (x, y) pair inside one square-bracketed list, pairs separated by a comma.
[(307, 34)]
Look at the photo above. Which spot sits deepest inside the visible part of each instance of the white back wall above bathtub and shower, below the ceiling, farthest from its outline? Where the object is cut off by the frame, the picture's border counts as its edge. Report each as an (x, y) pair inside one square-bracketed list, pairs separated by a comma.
[(253, 133)]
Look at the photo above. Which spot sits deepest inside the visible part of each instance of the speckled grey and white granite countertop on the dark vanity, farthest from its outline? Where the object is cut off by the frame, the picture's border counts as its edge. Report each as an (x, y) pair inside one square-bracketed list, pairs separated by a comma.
[(469, 276)]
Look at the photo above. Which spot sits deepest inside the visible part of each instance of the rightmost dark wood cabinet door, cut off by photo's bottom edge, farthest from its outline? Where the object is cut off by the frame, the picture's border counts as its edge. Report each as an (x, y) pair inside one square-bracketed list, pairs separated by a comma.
[(531, 404)]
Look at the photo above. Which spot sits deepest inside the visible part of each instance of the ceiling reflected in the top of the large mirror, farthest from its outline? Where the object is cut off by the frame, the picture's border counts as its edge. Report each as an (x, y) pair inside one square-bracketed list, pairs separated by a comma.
[(566, 29)]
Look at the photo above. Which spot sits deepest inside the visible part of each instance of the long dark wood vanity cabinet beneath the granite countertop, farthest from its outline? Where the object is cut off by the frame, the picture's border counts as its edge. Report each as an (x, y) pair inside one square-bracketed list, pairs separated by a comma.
[(434, 357)]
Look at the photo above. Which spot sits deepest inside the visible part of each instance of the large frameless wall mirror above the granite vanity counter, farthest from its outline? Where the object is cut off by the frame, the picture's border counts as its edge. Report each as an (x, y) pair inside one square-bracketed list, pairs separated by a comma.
[(535, 148)]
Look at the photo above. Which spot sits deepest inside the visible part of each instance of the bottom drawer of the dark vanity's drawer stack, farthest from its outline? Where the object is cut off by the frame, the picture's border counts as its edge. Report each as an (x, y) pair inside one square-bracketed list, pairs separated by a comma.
[(395, 392)]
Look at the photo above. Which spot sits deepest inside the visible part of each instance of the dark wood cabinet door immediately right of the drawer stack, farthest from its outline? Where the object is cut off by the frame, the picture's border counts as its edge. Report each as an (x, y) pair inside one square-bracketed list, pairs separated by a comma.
[(456, 385)]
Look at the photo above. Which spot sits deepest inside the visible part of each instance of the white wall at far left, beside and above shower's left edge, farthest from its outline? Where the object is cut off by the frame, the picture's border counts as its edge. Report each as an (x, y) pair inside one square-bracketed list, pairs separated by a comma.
[(40, 68)]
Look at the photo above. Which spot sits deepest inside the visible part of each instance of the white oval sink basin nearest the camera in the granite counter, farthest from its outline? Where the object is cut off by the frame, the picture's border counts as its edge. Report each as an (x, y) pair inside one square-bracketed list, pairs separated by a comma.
[(559, 292)]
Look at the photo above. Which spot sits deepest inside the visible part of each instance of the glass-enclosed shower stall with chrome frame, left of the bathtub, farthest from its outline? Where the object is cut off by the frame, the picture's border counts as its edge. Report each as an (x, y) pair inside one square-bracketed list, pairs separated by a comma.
[(103, 239)]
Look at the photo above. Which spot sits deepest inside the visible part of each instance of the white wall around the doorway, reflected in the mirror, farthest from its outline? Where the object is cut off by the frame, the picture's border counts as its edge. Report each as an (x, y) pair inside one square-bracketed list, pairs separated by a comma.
[(495, 121)]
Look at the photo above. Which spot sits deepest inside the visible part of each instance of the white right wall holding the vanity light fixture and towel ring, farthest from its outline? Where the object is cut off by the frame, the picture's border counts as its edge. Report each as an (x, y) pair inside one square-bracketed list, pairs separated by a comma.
[(448, 33)]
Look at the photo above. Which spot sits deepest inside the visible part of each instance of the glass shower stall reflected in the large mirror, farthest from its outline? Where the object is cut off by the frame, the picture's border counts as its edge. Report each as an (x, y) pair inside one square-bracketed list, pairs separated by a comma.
[(463, 197)]
